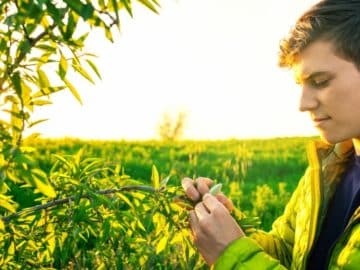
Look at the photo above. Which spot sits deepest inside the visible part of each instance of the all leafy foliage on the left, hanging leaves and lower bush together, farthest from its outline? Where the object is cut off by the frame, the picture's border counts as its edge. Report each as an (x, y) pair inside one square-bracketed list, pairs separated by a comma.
[(82, 213)]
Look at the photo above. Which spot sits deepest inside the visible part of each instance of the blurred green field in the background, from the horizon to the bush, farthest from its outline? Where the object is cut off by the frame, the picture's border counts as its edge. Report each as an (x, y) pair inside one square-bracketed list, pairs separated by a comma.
[(258, 174)]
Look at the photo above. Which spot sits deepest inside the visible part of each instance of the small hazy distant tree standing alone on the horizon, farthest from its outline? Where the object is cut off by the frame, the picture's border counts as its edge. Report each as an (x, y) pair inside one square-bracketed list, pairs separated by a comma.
[(172, 129)]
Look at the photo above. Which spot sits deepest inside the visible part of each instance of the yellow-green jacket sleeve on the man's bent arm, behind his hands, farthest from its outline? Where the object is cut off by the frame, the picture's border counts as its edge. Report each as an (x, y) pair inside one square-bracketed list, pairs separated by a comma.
[(265, 250)]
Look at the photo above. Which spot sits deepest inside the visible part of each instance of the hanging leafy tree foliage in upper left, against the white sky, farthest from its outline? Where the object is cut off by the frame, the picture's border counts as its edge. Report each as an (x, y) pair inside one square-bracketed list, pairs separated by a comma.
[(41, 42)]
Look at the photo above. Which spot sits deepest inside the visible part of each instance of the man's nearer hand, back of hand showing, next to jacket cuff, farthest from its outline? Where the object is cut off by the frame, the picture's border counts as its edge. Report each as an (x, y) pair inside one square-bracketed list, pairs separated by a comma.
[(213, 228)]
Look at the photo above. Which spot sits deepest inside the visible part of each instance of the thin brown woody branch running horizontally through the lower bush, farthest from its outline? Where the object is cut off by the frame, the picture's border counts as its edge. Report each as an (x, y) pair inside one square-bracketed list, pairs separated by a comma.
[(56, 202)]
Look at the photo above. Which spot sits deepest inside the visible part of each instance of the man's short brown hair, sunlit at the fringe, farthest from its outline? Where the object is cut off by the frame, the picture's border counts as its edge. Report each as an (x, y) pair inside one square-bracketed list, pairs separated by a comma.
[(337, 21)]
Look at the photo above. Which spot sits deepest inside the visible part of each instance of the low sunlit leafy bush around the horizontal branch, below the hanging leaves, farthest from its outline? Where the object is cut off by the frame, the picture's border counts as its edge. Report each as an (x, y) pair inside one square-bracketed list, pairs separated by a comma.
[(103, 220)]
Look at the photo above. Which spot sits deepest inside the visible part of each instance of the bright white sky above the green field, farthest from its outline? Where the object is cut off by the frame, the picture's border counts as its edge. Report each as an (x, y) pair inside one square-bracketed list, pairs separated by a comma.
[(215, 60)]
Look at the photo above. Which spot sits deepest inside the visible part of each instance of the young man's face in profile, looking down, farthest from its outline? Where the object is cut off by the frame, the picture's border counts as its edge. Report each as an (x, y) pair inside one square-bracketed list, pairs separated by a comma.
[(330, 92)]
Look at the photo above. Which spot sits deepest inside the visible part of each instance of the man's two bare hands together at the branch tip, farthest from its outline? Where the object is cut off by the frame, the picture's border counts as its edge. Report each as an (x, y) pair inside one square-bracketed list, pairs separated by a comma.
[(212, 225)]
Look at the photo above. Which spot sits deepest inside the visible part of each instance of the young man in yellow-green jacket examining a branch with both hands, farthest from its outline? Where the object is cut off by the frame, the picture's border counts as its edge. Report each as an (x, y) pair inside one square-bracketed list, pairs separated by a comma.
[(320, 226)]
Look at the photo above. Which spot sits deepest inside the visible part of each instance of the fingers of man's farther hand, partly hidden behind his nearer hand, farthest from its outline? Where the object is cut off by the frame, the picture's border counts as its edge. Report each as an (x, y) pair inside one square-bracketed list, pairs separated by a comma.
[(198, 188)]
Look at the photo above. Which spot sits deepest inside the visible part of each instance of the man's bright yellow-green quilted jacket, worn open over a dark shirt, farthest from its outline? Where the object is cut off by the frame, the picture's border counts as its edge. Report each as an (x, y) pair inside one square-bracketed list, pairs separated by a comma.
[(288, 244)]
